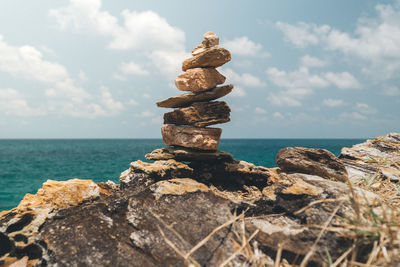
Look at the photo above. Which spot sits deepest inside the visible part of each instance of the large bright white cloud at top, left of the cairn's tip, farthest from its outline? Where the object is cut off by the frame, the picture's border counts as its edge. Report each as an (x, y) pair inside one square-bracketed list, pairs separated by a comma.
[(144, 31)]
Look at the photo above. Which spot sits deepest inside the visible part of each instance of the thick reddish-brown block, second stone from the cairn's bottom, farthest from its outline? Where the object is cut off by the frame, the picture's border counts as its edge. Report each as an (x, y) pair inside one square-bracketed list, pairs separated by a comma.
[(191, 137)]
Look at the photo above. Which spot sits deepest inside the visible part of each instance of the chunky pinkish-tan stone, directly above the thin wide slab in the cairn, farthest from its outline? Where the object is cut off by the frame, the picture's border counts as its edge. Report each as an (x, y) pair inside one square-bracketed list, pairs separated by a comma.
[(199, 79)]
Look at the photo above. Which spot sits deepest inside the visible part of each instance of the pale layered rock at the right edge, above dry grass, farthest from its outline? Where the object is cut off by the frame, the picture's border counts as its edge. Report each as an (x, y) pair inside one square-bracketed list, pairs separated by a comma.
[(379, 157)]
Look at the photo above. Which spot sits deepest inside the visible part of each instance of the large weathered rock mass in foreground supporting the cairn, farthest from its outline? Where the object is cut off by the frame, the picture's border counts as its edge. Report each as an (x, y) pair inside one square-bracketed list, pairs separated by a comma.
[(169, 213)]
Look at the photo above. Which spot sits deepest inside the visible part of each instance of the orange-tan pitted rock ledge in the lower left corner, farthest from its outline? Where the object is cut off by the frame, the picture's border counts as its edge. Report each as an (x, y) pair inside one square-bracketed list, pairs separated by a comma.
[(22, 224)]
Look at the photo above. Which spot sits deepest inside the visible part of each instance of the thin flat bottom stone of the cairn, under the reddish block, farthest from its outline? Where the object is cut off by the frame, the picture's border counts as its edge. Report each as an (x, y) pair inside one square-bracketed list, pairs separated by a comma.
[(187, 154)]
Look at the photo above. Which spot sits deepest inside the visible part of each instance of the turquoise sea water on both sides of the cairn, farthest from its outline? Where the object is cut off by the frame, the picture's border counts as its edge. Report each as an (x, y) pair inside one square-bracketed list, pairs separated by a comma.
[(26, 164)]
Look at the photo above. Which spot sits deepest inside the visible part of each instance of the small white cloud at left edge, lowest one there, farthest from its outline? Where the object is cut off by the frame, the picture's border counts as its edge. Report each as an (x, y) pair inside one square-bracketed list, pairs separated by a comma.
[(13, 103)]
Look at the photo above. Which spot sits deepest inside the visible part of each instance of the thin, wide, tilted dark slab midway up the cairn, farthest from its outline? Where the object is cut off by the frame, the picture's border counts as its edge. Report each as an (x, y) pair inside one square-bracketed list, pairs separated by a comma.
[(189, 98)]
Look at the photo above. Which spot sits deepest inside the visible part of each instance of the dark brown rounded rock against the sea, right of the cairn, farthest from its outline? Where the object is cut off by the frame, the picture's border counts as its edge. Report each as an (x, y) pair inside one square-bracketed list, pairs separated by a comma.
[(318, 162)]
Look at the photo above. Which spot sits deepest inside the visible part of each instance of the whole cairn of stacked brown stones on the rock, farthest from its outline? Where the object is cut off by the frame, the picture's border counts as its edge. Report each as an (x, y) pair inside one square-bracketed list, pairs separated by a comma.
[(185, 130)]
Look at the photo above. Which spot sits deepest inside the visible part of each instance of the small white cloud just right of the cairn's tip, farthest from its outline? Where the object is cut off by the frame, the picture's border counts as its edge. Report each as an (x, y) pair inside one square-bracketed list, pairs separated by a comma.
[(243, 46)]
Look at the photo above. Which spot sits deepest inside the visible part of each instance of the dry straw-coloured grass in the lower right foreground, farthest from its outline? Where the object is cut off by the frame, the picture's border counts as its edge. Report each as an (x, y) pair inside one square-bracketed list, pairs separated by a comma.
[(373, 228)]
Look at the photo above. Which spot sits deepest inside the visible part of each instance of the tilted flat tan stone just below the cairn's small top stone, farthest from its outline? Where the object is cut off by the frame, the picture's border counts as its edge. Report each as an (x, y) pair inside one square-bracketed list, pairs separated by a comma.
[(214, 57)]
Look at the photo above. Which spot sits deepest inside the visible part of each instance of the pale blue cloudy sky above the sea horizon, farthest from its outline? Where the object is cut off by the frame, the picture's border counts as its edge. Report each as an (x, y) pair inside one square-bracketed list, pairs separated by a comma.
[(300, 69)]
